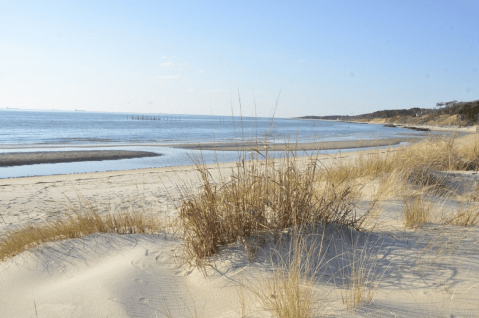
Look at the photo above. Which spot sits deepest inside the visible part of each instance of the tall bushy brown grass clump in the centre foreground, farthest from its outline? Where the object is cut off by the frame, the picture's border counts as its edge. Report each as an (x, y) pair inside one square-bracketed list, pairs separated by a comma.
[(262, 196)]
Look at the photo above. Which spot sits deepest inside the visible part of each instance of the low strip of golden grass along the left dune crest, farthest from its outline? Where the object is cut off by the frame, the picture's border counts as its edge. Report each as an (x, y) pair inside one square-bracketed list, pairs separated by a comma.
[(79, 222)]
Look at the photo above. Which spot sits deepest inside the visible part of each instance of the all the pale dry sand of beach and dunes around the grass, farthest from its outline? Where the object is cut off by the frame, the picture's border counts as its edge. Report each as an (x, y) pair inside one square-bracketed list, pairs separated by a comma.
[(111, 275)]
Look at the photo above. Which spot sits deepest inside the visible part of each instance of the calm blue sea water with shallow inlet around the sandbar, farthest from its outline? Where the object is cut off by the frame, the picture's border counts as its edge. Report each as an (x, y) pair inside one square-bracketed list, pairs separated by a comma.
[(30, 131)]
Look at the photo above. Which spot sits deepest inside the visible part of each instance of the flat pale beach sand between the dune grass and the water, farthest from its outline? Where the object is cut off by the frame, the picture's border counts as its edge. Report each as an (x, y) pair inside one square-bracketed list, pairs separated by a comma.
[(42, 198)]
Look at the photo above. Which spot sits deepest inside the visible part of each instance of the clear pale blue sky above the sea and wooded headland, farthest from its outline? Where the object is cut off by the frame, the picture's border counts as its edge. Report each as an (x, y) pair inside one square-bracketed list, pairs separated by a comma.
[(258, 58)]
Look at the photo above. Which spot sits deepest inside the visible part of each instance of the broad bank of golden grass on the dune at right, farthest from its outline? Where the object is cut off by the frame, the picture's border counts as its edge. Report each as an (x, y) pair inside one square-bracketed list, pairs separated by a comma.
[(418, 166)]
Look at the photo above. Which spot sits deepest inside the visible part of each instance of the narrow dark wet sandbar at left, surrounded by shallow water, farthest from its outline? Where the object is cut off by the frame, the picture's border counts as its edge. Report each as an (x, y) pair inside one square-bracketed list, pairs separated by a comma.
[(30, 158)]
